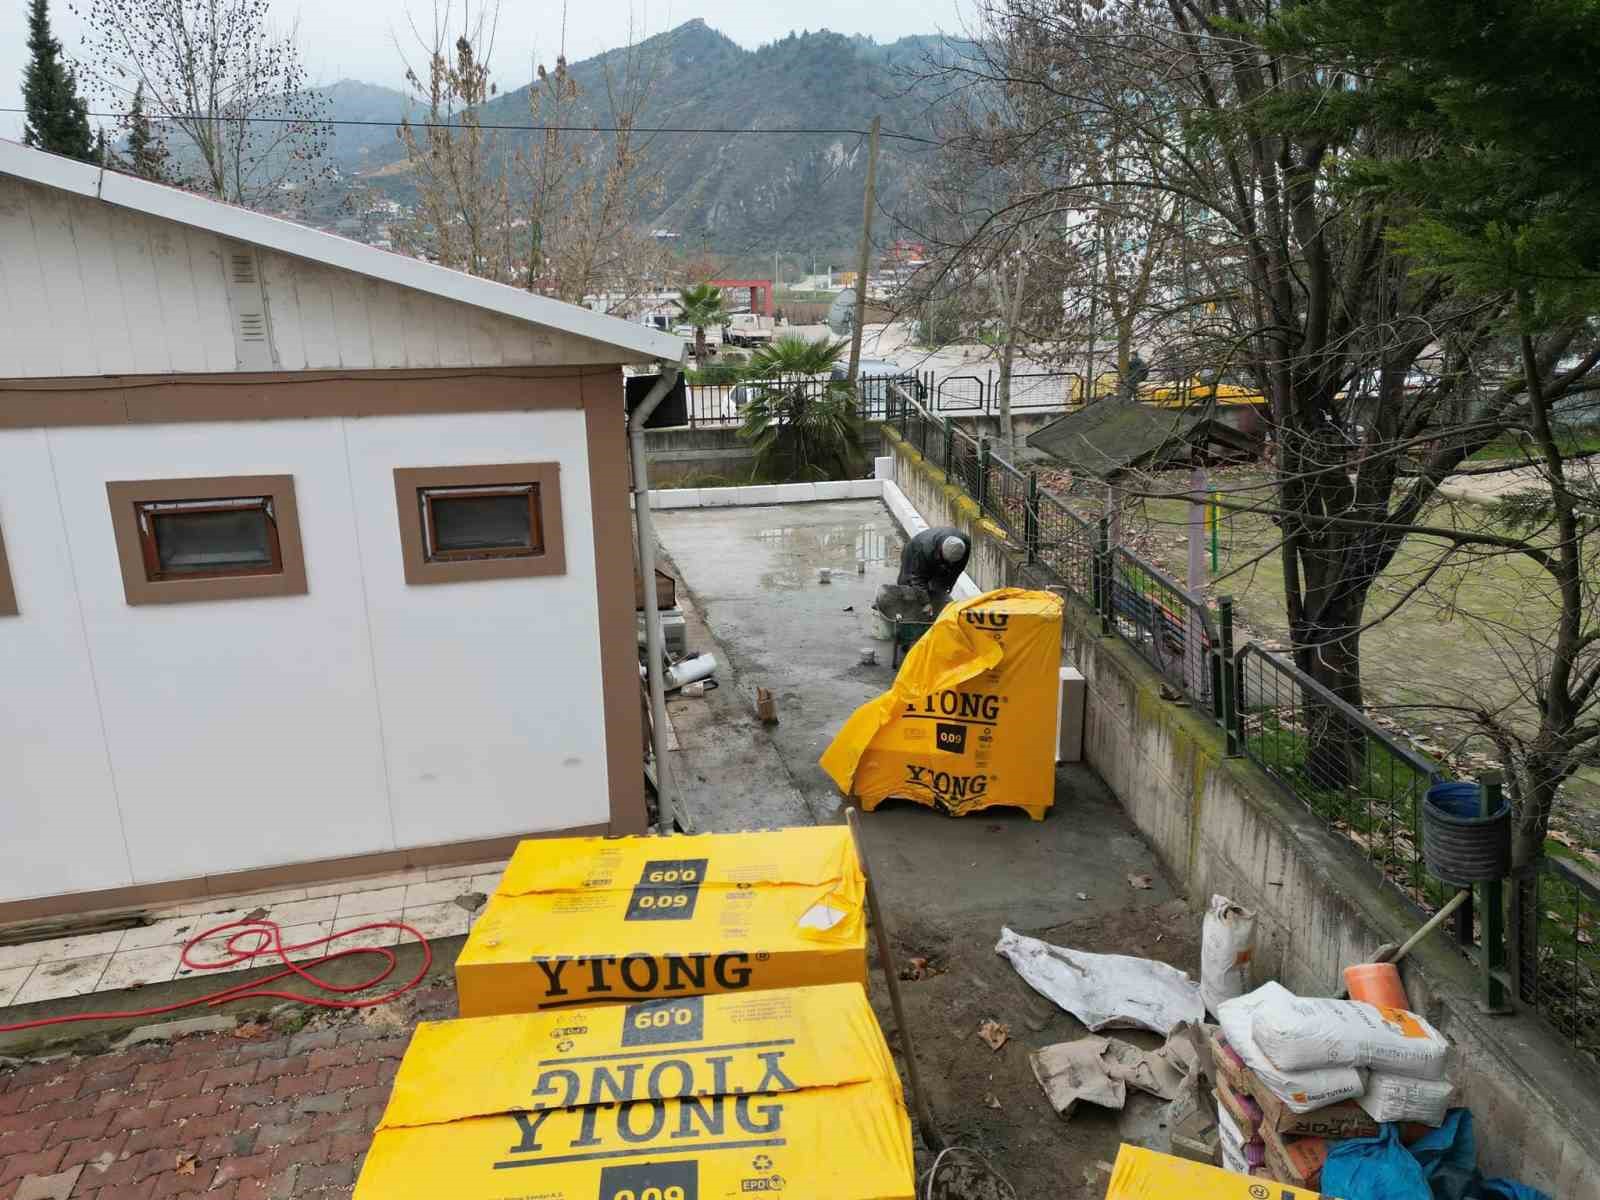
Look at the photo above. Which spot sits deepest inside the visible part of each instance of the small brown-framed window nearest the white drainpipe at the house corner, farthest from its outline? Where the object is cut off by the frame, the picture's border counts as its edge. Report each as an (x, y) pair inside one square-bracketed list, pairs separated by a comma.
[(487, 522)]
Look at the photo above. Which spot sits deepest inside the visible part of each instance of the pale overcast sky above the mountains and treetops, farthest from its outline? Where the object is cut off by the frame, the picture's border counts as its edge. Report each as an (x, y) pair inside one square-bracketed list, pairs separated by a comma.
[(356, 39)]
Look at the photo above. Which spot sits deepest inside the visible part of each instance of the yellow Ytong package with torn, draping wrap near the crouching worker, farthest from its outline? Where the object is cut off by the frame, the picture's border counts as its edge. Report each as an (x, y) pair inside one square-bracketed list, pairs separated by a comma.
[(972, 719)]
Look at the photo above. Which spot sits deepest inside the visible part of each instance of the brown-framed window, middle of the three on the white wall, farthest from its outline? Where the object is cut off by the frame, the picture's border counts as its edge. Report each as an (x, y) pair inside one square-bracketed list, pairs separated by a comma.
[(207, 538)]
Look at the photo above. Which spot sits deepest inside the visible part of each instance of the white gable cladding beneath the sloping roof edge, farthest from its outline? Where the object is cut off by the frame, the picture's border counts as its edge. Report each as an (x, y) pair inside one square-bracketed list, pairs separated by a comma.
[(98, 290)]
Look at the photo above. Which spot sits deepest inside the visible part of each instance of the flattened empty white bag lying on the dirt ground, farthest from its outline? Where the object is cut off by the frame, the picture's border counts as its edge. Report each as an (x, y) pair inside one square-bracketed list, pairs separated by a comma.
[(1106, 991)]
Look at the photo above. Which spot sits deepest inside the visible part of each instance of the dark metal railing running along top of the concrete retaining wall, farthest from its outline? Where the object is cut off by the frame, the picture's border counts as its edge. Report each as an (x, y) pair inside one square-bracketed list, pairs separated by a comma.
[(1364, 783)]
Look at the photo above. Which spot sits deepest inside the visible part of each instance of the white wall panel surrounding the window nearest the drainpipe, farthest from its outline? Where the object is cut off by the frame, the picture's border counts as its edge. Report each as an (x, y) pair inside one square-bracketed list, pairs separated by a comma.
[(490, 690)]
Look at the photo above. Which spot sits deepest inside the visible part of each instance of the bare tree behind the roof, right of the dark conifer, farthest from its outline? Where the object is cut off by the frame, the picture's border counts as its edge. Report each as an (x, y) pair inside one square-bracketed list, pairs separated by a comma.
[(233, 92)]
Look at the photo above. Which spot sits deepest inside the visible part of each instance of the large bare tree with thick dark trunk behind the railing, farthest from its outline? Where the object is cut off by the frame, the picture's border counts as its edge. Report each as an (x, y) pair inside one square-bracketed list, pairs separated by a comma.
[(1300, 281)]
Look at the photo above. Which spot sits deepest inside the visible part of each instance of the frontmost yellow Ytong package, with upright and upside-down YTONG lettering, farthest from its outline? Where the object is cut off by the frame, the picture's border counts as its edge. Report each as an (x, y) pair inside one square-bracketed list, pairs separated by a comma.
[(705, 1098)]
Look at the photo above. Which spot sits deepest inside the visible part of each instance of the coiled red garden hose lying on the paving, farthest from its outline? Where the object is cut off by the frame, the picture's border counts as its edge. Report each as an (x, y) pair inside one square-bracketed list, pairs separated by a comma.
[(270, 945)]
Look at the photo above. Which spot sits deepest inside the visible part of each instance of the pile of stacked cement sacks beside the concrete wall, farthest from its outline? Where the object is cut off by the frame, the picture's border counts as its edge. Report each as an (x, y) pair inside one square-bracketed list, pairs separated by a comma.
[(1321, 1071)]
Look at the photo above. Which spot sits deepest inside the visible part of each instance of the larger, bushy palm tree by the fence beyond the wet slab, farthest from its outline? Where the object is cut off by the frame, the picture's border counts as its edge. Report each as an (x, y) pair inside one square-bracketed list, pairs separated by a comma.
[(802, 426)]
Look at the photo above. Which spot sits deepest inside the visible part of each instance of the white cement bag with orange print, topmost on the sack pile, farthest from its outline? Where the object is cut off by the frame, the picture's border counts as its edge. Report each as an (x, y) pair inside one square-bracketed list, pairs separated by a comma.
[(1316, 1033)]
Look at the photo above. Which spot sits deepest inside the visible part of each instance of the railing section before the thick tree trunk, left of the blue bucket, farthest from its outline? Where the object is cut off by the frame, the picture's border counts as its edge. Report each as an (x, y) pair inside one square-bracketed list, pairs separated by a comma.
[(1366, 785)]
